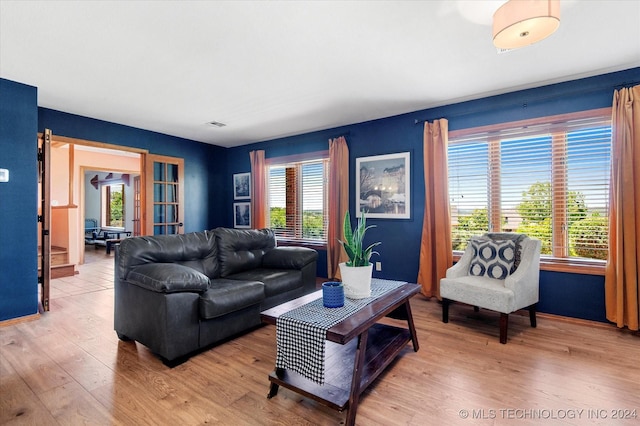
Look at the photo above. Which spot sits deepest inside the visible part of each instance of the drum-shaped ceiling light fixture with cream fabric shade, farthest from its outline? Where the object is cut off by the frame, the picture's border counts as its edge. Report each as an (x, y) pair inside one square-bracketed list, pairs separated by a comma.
[(519, 23)]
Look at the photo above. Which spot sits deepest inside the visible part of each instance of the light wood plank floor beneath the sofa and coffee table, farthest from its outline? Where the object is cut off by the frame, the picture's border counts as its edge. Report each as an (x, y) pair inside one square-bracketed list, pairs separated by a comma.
[(68, 367)]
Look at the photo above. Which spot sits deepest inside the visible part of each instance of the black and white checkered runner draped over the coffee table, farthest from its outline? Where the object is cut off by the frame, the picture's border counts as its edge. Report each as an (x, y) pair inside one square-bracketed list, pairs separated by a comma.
[(301, 332)]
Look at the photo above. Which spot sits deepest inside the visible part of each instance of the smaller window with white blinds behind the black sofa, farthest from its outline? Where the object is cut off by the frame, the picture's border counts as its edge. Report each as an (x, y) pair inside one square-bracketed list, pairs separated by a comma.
[(298, 200)]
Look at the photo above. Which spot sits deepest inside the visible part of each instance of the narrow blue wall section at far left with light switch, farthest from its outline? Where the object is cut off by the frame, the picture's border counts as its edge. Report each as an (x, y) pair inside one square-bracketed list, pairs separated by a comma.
[(18, 200)]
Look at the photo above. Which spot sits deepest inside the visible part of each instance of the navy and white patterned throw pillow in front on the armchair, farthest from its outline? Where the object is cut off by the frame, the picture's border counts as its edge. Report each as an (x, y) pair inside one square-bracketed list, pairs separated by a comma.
[(493, 259)]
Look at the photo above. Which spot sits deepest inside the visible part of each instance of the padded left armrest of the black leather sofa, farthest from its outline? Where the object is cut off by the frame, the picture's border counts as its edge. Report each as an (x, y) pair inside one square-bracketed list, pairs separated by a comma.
[(168, 278)]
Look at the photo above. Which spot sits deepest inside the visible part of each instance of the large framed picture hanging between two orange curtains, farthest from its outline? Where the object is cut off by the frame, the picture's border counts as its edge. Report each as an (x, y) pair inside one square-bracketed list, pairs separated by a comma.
[(382, 186)]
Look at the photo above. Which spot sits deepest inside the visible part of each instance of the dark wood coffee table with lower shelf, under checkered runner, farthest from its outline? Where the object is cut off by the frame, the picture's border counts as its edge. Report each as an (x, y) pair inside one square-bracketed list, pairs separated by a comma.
[(358, 349)]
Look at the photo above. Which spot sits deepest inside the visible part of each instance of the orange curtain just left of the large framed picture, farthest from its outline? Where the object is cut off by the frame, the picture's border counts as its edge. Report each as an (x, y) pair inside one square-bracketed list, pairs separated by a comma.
[(338, 203)]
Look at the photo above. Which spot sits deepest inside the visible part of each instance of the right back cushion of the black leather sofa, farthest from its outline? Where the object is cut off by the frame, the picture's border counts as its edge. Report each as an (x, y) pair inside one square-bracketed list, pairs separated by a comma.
[(240, 250)]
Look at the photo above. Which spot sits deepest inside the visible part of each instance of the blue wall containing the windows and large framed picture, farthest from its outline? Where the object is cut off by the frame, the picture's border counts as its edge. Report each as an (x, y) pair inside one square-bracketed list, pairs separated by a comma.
[(574, 295)]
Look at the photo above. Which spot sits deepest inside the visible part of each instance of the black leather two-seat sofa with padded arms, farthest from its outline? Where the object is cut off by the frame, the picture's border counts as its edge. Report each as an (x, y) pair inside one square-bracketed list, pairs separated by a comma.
[(177, 294)]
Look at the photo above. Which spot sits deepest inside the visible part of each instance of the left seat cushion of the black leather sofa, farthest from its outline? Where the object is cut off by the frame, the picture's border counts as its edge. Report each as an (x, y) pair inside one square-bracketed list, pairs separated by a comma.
[(225, 296)]
